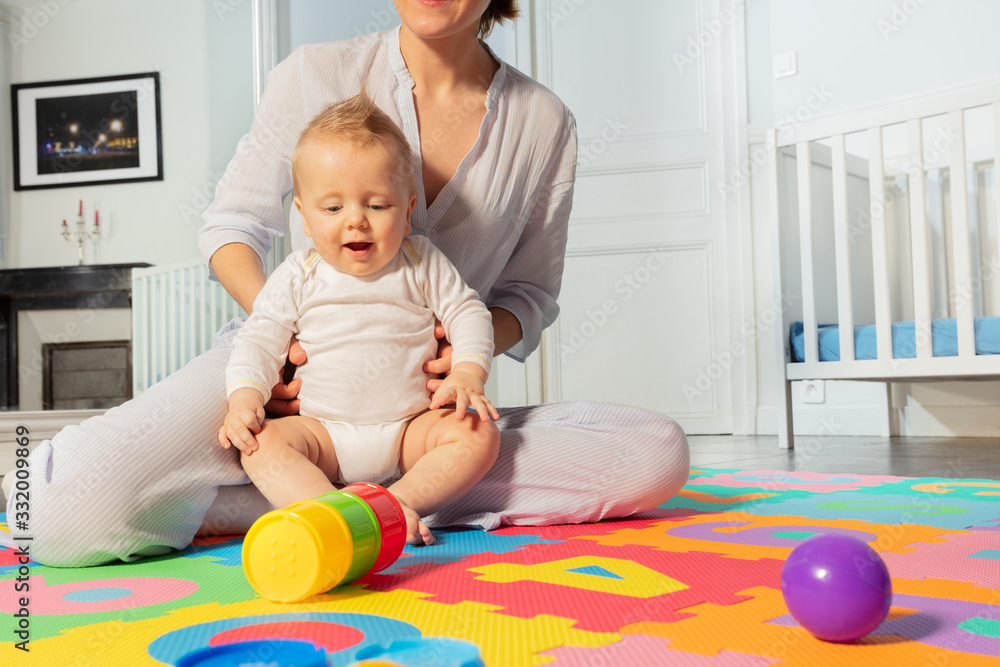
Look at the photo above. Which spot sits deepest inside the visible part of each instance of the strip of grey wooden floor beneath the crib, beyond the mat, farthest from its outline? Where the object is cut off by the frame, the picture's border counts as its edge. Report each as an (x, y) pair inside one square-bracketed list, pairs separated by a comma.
[(958, 458)]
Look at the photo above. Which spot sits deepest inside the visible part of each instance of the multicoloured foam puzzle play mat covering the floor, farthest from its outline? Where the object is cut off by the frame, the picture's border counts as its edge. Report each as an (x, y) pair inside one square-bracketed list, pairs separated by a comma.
[(697, 581)]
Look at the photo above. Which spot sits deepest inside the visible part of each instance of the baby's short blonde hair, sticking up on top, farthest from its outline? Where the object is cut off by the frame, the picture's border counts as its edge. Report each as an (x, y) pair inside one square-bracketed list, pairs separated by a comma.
[(359, 121)]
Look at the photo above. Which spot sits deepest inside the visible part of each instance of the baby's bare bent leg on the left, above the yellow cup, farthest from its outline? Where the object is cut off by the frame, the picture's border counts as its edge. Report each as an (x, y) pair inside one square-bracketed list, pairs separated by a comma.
[(294, 461)]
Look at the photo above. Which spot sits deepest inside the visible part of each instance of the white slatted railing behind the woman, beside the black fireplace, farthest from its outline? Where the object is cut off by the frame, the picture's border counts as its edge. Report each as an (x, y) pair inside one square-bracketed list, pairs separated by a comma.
[(176, 311)]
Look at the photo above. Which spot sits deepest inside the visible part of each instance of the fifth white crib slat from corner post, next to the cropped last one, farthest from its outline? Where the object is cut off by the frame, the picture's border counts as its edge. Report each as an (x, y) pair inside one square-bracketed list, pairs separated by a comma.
[(960, 237)]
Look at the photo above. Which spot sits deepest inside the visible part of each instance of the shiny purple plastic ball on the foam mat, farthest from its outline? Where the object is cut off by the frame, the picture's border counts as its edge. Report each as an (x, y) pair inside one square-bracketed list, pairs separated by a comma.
[(836, 587)]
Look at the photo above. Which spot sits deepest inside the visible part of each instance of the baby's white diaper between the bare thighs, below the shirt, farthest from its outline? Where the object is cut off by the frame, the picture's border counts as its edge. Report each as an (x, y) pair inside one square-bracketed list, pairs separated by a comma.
[(369, 452)]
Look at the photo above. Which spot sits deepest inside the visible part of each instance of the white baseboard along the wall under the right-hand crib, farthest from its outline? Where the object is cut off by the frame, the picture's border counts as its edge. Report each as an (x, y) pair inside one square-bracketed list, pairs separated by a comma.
[(960, 421)]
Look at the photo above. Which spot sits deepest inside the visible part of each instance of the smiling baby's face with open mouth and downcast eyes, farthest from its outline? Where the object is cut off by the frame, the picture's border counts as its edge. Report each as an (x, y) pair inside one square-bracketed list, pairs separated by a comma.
[(355, 204)]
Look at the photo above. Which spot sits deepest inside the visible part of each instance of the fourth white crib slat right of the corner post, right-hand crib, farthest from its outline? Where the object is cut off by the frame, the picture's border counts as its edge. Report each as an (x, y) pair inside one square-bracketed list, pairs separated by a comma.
[(919, 242)]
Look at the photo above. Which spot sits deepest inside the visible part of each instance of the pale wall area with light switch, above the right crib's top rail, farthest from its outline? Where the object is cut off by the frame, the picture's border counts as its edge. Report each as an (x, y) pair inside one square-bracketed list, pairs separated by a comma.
[(864, 52)]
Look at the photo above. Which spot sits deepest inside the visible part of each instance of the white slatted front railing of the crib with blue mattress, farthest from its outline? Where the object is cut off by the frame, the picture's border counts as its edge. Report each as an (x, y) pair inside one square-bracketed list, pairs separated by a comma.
[(831, 132)]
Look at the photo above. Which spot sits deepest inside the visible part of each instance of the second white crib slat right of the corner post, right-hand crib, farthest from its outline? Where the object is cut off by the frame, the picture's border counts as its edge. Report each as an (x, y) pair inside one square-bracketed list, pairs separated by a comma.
[(842, 248)]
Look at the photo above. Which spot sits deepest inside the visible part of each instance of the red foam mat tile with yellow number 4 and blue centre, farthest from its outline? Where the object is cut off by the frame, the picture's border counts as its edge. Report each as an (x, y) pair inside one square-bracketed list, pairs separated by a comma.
[(611, 586)]
